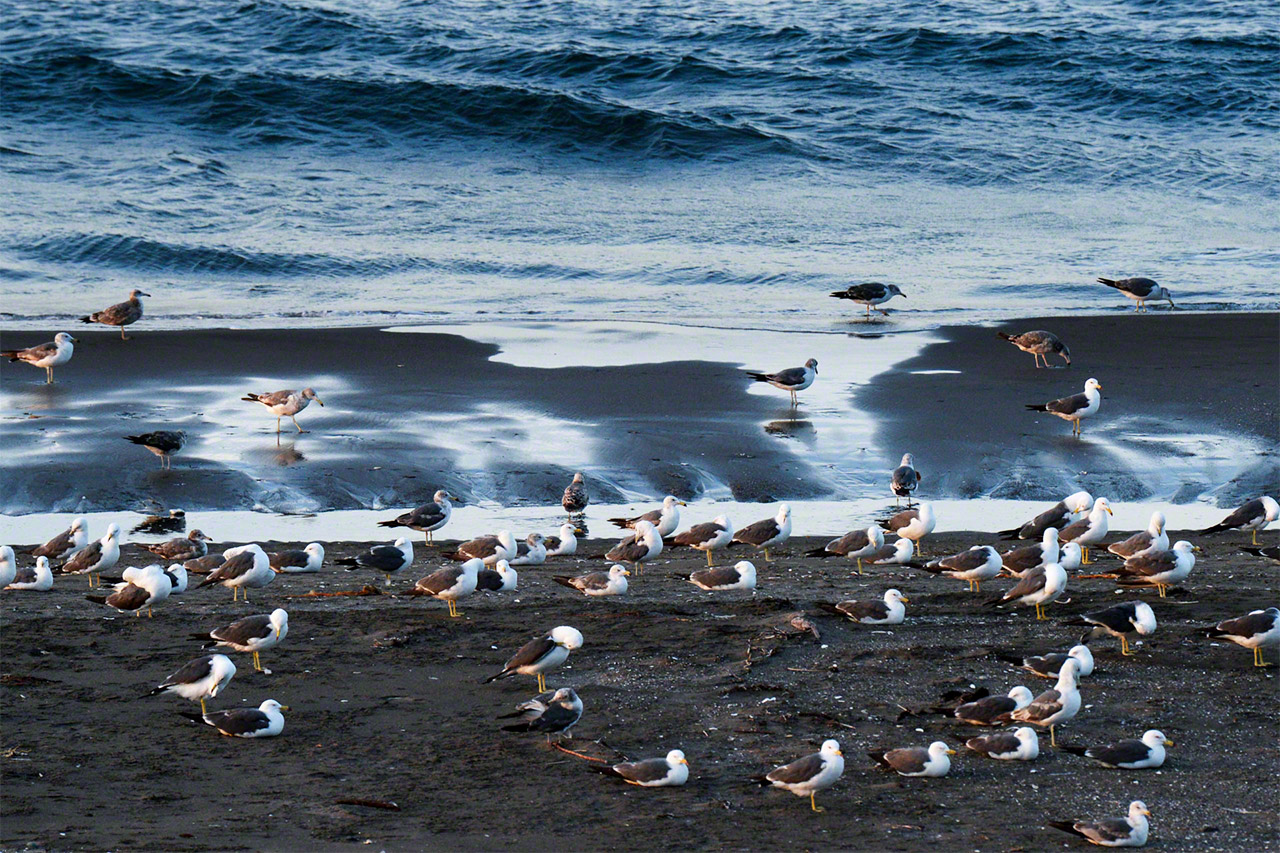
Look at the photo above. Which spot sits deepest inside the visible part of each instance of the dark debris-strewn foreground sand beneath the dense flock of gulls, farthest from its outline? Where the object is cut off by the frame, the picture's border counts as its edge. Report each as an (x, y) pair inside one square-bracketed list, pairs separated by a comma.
[(388, 705)]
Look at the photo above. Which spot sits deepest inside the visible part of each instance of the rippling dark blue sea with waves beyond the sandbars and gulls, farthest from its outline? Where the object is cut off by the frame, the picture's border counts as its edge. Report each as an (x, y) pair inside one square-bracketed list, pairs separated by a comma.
[(694, 162)]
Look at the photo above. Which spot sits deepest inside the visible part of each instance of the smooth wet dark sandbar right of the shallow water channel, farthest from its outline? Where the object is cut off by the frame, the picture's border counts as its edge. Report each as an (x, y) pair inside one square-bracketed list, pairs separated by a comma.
[(1190, 408)]
